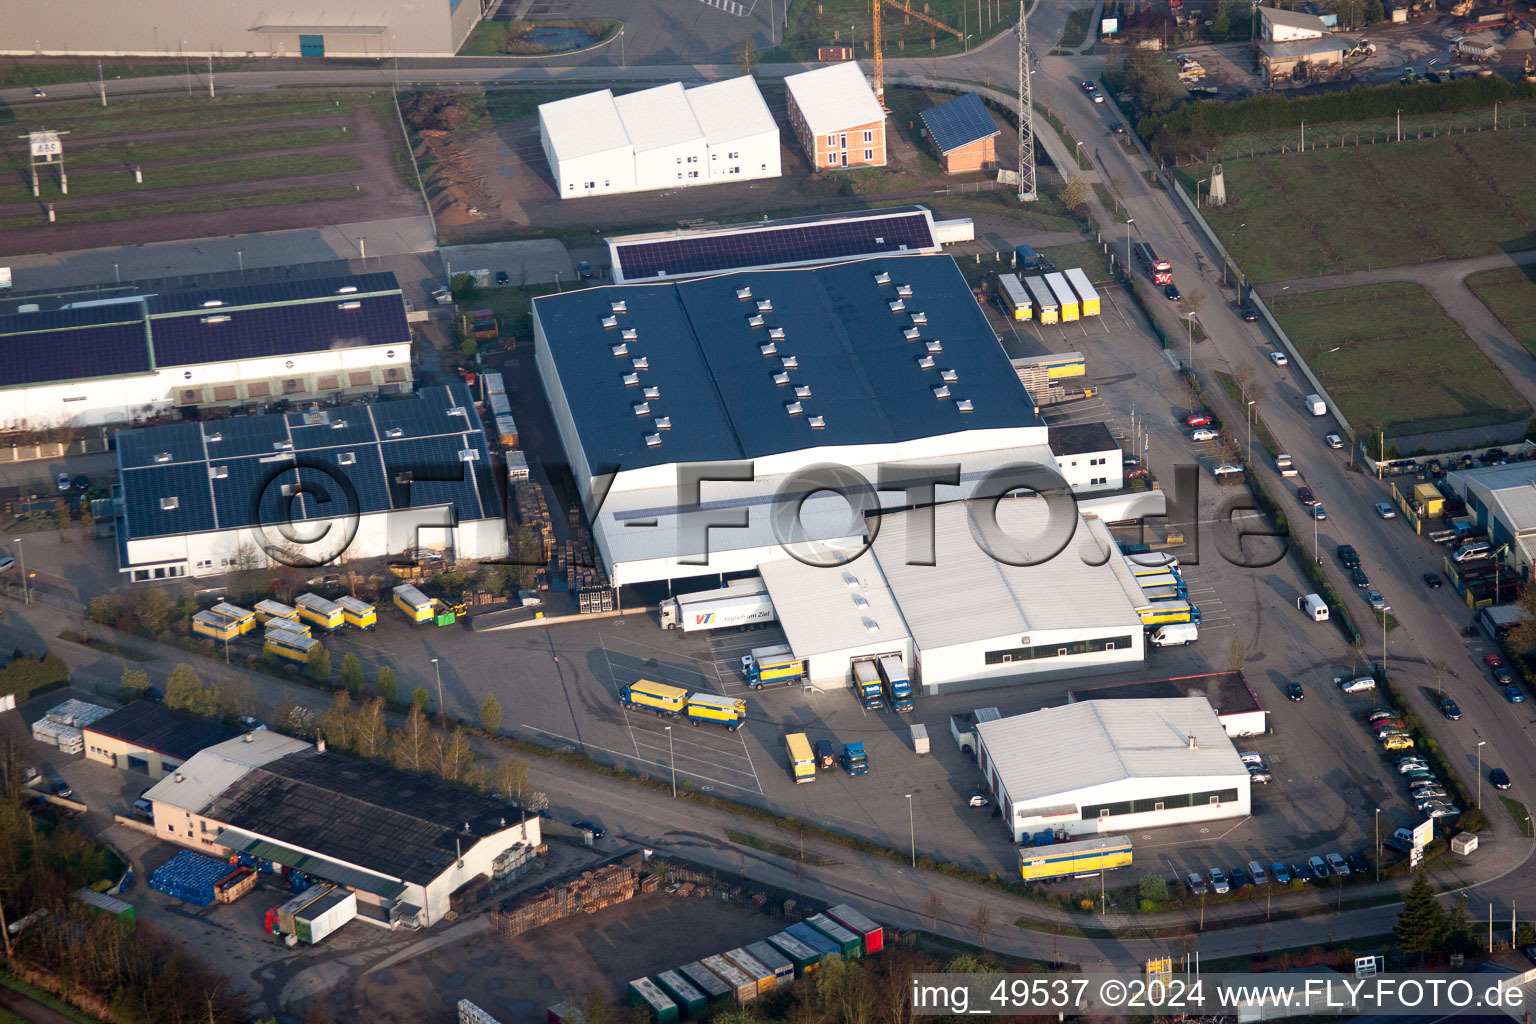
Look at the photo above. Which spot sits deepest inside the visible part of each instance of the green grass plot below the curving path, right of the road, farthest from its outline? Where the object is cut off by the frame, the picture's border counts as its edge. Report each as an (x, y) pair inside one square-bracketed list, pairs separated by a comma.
[(1395, 362)]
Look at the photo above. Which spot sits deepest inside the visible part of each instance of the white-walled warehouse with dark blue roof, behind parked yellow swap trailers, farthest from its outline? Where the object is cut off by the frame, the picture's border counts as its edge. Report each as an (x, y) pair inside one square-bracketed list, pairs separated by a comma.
[(310, 489)]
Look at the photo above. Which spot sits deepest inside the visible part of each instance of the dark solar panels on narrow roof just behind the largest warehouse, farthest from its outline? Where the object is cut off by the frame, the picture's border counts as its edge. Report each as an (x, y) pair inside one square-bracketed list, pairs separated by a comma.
[(775, 246)]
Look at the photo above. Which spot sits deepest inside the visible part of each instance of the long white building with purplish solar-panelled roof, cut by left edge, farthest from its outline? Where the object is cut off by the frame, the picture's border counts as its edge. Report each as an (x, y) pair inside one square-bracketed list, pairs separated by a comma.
[(141, 357)]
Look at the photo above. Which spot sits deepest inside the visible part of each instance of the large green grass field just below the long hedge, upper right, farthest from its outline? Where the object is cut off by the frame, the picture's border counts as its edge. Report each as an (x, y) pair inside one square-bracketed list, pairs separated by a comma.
[(1302, 216)]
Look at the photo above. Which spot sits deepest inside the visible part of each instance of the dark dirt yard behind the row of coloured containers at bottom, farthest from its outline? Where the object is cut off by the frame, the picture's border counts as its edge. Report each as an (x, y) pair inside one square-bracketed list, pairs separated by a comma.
[(518, 979)]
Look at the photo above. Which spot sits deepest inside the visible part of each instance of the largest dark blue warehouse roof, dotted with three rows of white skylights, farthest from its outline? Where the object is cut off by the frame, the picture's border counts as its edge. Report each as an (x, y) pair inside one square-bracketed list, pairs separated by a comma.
[(726, 397)]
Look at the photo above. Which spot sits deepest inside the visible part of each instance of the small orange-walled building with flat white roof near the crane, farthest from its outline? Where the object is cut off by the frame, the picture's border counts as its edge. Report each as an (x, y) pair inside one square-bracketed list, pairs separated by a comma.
[(836, 117)]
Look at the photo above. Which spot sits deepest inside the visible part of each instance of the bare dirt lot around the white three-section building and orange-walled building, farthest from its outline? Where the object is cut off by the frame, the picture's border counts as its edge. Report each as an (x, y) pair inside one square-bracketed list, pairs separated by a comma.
[(502, 183)]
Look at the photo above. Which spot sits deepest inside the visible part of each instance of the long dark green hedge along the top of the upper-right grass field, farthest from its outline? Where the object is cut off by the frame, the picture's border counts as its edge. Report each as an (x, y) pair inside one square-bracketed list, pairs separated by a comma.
[(1277, 111)]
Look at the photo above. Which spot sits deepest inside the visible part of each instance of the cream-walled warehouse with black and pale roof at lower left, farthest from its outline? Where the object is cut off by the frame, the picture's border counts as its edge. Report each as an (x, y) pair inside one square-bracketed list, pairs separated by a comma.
[(402, 842)]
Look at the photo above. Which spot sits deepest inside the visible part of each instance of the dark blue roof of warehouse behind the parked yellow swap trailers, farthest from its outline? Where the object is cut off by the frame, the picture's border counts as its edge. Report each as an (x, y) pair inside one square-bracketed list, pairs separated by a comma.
[(351, 460)]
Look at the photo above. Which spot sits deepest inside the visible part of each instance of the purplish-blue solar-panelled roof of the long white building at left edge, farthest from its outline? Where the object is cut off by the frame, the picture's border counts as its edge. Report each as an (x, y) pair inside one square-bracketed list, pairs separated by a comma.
[(202, 326)]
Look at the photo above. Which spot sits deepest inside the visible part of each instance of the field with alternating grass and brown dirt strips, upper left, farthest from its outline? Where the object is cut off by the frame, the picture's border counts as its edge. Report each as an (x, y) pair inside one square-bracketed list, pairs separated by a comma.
[(239, 164)]
